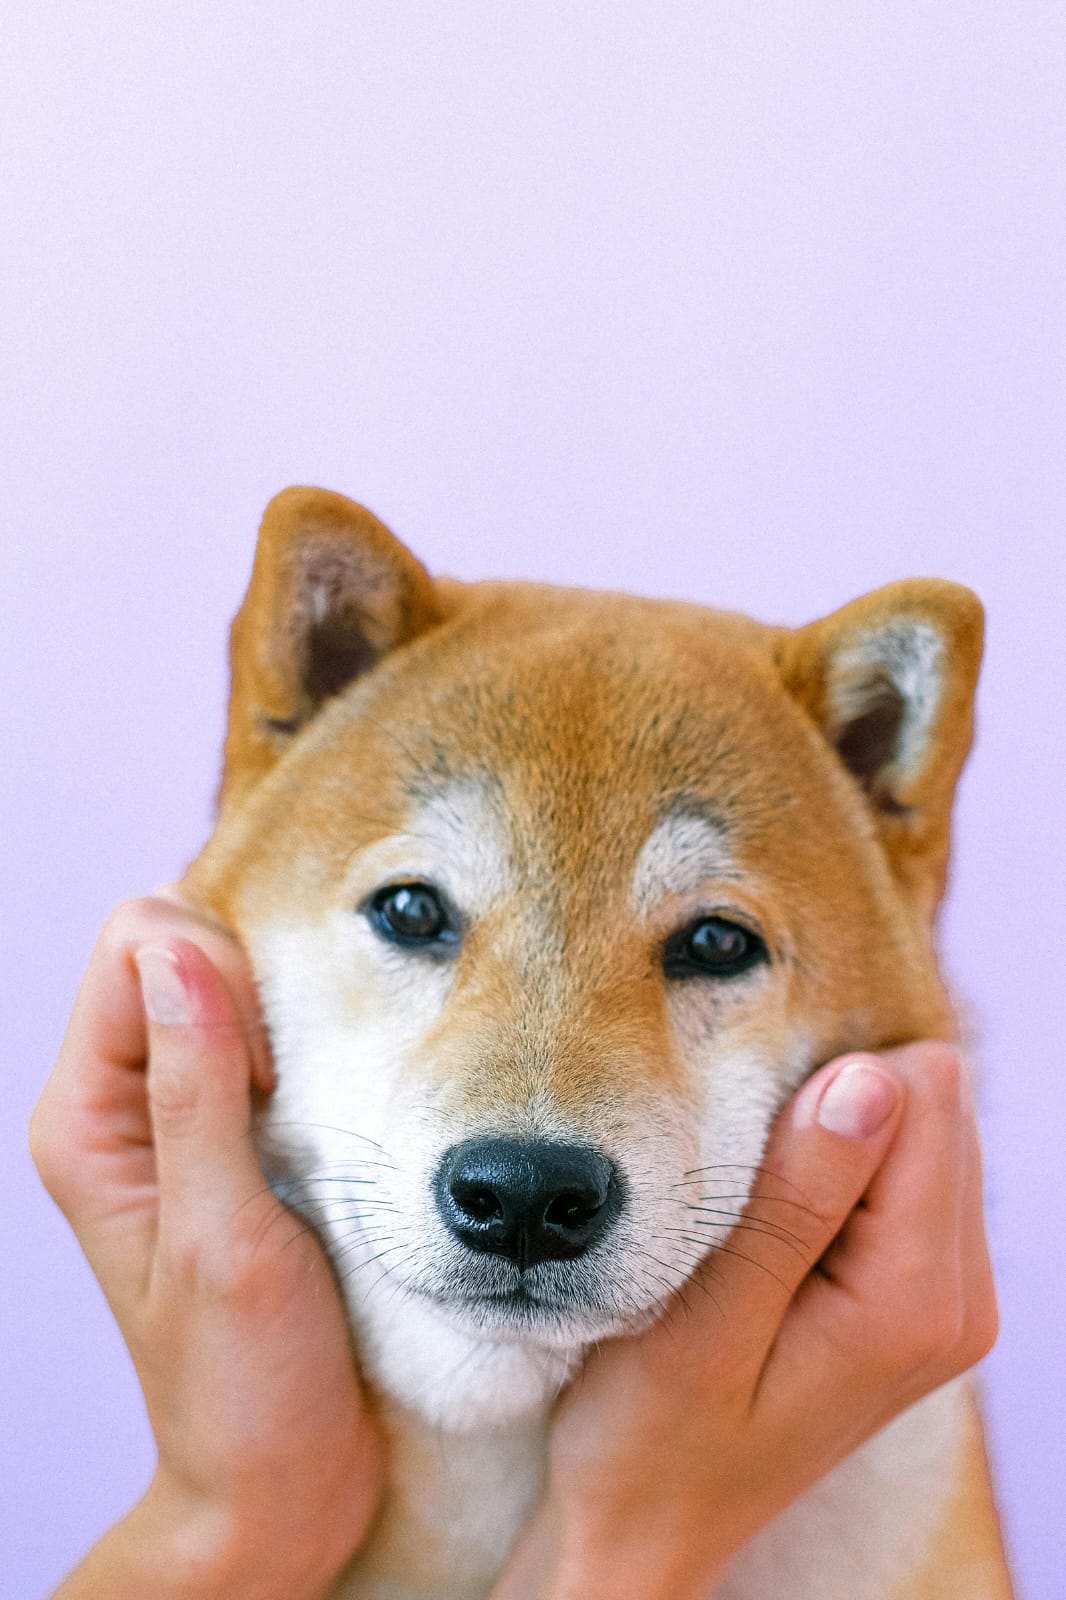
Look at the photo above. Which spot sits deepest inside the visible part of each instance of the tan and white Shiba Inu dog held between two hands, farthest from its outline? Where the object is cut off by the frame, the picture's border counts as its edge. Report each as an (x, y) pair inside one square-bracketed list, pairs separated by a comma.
[(553, 900)]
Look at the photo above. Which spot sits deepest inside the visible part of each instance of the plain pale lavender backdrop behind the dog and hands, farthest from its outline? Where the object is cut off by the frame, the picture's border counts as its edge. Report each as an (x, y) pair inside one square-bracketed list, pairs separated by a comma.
[(758, 305)]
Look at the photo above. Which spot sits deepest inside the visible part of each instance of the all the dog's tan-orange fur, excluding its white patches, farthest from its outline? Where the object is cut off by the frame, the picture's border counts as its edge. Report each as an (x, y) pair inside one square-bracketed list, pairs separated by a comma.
[(359, 686)]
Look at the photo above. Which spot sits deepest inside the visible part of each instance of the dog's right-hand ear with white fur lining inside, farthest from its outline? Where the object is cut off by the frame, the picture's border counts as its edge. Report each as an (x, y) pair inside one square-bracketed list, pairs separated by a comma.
[(889, 681)]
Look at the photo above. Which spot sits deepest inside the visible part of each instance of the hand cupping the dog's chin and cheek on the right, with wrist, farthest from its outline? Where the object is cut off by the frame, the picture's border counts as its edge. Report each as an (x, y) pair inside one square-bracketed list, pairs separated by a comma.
[(864, 1284)]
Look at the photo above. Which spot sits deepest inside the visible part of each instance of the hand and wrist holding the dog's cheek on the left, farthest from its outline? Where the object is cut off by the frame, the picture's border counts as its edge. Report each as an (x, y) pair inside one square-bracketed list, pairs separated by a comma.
[(270, 1466)]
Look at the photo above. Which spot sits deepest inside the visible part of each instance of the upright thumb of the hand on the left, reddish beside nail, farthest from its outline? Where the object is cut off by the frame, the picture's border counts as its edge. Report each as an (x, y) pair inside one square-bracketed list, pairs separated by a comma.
[(199, 1095)]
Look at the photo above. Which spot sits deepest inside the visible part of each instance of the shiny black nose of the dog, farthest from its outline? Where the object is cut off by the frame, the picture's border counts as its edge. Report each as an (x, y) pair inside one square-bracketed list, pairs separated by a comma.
[(529, 1201)]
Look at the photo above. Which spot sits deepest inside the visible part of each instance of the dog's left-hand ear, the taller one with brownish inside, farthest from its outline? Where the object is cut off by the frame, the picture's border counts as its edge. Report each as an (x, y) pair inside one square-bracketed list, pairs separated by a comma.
[(331, 593)]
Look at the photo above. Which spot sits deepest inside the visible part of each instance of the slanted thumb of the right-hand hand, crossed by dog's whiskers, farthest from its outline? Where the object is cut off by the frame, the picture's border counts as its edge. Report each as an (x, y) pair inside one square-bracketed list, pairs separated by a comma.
[(820, 1159)]
